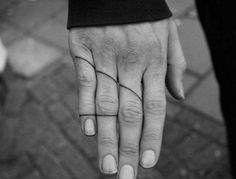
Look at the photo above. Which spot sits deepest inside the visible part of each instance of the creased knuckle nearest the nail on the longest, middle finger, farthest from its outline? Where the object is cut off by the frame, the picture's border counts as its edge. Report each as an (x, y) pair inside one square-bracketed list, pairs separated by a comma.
[(129, 149)]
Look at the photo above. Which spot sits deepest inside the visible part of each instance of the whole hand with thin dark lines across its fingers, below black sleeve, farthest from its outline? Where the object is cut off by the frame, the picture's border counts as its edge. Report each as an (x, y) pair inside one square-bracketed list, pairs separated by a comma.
[(121, 74)]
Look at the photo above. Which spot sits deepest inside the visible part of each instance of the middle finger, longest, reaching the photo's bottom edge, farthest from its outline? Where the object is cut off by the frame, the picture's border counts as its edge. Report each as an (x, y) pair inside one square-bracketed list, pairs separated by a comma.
[(130, 119)]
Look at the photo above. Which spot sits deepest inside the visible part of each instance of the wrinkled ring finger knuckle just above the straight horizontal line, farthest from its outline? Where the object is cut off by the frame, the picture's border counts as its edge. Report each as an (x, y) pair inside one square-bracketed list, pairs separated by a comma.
[(107, 104)]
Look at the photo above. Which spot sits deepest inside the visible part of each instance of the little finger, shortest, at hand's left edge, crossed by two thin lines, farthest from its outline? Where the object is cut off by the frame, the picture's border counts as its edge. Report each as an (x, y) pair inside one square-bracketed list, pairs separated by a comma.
[(86, 82)]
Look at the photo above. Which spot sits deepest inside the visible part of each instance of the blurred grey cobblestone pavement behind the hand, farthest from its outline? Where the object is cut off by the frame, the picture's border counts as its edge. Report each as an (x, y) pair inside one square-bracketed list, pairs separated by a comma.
[(40, 137)]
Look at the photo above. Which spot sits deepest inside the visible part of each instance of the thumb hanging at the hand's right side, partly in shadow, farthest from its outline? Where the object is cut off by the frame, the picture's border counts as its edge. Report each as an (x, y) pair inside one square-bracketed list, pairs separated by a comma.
[(176, 64)]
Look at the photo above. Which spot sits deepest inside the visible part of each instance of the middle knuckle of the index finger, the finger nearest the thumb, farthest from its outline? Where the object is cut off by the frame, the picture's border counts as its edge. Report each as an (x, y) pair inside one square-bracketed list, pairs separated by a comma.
[(155, 106)]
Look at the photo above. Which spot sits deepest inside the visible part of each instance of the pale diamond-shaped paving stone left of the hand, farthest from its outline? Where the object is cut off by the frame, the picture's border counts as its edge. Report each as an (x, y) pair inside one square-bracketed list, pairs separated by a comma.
[(29, 56)]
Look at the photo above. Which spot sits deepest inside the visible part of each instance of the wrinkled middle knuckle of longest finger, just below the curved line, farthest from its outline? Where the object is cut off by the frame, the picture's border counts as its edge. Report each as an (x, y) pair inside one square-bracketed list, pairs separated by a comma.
[(131, 112)]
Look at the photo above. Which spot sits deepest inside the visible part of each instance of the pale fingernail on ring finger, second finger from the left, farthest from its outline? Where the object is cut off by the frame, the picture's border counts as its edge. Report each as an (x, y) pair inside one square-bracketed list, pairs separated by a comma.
[(109, 165)]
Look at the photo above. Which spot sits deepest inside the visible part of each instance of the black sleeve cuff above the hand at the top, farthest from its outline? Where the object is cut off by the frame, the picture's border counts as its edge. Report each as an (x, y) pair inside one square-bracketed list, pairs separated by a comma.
[(84, 13)]
